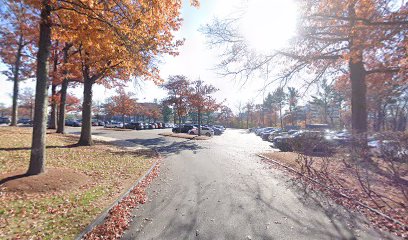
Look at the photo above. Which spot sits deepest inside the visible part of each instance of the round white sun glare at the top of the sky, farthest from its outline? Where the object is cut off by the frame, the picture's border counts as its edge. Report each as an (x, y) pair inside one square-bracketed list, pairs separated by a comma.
[(269, 24)]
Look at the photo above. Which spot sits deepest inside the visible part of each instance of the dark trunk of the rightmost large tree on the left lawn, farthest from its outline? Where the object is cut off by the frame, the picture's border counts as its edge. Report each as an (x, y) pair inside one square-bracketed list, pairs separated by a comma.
[(86, 131)]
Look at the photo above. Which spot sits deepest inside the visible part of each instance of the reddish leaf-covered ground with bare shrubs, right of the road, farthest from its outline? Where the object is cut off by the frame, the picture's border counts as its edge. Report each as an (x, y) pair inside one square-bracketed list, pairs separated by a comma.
[(373, 186)]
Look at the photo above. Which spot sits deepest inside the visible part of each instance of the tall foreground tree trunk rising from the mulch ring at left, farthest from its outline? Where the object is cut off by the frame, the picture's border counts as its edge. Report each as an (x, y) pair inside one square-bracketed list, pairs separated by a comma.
[(37, 159)]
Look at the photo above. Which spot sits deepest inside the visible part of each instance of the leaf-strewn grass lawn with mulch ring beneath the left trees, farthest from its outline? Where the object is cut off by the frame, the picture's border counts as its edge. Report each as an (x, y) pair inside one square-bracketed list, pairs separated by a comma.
[(79, 183)]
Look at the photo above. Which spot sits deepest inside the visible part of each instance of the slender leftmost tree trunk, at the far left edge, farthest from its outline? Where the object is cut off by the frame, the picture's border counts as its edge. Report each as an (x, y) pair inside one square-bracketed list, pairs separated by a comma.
[(14, 113)]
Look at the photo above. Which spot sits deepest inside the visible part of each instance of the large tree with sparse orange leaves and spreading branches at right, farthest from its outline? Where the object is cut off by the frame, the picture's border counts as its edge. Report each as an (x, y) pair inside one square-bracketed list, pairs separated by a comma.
[(335, 38)]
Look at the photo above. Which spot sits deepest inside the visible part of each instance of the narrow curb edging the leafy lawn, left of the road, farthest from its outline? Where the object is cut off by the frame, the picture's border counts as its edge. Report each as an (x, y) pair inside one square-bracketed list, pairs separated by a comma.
[(101, 218)]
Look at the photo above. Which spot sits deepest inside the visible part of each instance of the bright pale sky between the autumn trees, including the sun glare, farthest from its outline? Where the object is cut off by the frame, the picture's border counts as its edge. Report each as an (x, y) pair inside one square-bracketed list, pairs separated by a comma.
[(267, 25)]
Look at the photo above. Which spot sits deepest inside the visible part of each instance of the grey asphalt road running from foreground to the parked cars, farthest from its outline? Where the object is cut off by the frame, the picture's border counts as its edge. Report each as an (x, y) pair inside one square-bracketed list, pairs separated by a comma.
[(219, 189)]
